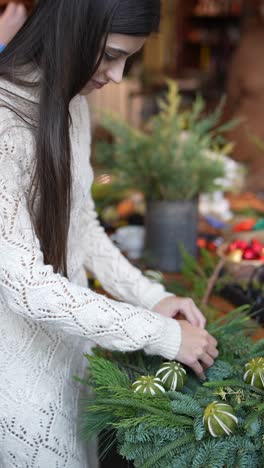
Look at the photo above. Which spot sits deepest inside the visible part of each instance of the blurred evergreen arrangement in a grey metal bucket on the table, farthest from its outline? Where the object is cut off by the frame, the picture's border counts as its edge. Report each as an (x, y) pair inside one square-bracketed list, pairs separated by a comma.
[(172, 161)]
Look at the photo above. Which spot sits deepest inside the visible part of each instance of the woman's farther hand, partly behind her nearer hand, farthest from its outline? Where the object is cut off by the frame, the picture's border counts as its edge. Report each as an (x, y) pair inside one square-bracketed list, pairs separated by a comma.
[(173, 305)]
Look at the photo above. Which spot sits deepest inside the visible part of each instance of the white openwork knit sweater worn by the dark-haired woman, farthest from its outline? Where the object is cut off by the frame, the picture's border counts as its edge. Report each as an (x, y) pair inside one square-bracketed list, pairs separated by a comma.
[(47, 321)]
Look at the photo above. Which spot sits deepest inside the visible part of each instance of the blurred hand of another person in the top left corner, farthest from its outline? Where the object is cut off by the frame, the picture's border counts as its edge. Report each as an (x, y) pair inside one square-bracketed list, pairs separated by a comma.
[(11, 21)]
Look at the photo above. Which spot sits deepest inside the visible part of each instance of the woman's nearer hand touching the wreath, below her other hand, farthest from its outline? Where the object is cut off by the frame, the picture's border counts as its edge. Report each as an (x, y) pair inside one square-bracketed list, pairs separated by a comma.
[(198, 348)]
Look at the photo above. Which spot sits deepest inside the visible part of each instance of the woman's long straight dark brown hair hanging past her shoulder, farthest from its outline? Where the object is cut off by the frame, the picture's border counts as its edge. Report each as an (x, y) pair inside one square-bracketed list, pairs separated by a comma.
[(63, 40)]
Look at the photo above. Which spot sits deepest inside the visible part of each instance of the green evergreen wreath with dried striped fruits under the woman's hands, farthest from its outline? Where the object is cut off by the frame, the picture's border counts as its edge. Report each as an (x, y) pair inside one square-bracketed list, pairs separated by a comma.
[(177, 429)]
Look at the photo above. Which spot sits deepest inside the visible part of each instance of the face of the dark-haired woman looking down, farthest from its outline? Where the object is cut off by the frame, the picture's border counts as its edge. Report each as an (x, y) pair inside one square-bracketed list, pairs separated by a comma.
[(118, 48)]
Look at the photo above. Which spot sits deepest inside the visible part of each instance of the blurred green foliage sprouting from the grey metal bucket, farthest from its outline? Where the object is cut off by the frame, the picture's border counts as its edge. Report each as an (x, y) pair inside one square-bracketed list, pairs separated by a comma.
[(173, 160)]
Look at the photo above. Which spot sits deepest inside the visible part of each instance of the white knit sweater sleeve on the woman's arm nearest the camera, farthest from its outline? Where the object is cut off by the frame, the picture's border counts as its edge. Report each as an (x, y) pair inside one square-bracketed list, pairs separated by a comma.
[(31, 289)]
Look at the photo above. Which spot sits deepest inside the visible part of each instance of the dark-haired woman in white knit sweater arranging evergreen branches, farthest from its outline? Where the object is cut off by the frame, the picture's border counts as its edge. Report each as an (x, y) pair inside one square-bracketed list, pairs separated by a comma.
[(49, 232)]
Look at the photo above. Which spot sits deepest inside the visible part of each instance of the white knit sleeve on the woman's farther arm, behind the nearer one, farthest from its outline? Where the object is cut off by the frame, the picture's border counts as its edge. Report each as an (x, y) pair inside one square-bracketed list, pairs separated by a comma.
[(116, 274)]
